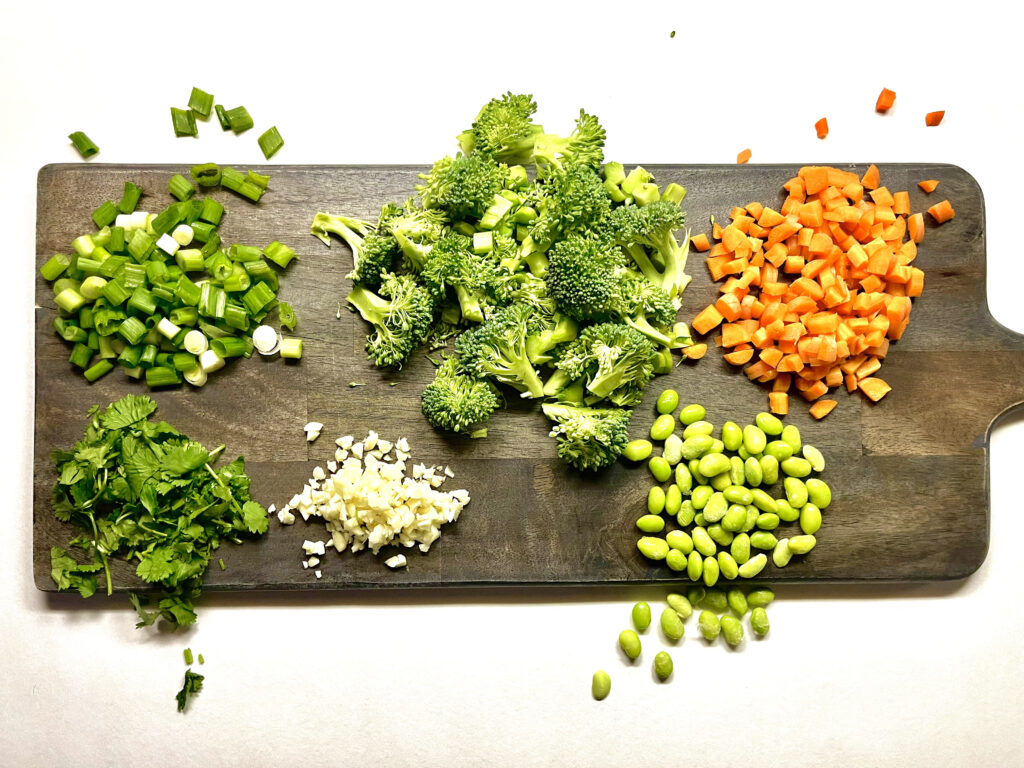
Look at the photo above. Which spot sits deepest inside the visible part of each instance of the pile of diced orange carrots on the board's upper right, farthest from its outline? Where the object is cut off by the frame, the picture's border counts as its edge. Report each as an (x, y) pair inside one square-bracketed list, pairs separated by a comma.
[(814, 294)]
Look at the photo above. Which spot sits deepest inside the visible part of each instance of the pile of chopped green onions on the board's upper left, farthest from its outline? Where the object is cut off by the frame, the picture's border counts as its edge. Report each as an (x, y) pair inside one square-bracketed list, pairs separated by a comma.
[(161, 295)]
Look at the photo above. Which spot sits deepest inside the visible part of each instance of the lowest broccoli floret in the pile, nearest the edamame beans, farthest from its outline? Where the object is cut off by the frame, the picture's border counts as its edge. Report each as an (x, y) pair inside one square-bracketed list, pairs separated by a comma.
[(589, 439)]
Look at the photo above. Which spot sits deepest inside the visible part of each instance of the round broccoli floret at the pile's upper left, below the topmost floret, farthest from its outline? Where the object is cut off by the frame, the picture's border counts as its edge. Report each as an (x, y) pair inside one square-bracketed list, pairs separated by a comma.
[(463, 187)]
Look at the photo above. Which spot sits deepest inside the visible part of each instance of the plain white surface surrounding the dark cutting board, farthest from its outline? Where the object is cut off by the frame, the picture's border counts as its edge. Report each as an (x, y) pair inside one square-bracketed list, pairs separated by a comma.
[(881, 676)]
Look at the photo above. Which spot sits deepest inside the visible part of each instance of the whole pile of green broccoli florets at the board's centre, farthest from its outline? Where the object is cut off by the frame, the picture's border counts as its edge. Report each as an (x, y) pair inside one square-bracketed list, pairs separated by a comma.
[(559, 275)]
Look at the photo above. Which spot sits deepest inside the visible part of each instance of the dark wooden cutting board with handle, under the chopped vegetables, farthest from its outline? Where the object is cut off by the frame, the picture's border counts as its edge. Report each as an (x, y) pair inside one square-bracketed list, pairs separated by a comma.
[(910, 475)]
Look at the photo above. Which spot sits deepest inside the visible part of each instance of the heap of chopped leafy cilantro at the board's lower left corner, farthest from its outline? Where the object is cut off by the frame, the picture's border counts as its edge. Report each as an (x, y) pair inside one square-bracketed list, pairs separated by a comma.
[(141, 491)]
